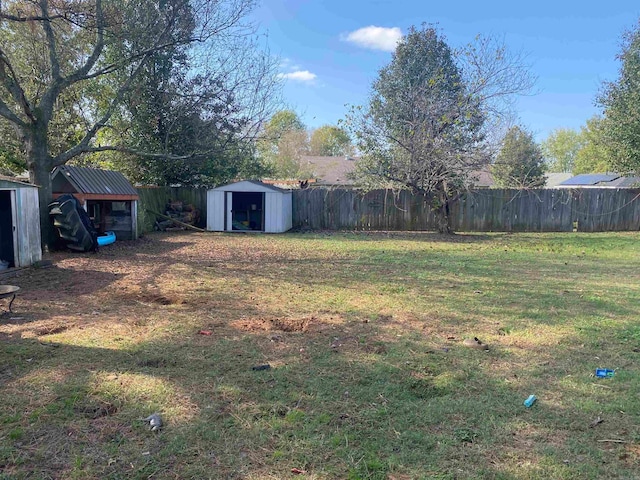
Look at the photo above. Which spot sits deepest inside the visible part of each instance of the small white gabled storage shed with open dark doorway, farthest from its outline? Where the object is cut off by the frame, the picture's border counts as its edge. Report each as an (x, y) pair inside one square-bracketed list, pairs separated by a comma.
[(249, 206)]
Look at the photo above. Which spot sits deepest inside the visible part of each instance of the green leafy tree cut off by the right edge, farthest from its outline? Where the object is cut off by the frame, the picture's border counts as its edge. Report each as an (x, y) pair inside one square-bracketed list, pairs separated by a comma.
[(620, 101)]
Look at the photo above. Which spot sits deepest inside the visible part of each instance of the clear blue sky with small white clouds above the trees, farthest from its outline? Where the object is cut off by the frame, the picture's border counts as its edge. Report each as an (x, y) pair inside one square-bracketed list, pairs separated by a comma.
[(330, 54)]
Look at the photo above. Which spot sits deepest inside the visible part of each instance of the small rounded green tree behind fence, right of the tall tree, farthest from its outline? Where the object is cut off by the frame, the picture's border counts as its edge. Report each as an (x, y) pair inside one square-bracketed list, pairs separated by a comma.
[(520, 163)]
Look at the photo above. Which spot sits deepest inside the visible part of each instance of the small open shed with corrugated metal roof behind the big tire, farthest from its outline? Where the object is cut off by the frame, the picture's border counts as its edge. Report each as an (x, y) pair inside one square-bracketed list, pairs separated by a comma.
[(107, 196)]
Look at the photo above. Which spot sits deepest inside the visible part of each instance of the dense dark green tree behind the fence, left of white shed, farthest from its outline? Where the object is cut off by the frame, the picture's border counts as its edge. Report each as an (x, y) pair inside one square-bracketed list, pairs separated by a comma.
[(185, 118)]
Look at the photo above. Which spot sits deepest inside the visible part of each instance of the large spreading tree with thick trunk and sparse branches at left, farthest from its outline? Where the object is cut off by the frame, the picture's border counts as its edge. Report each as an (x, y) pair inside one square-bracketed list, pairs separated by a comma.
[(68, 68)]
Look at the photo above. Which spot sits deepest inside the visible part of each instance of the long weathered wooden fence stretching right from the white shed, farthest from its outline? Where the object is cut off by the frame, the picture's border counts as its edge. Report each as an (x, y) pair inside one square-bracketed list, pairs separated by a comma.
[(541, 210)]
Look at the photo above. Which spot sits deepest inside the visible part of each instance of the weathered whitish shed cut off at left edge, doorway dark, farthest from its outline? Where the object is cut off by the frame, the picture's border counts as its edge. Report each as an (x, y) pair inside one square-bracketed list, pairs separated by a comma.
[(19, 224)]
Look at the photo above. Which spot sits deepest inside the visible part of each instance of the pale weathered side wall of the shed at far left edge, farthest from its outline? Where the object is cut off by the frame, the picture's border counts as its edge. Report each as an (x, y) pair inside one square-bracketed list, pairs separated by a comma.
[(28, 227)]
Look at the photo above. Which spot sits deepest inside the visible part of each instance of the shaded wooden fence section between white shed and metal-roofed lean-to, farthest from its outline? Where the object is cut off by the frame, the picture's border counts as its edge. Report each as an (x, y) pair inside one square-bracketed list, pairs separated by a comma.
[(156, 198)]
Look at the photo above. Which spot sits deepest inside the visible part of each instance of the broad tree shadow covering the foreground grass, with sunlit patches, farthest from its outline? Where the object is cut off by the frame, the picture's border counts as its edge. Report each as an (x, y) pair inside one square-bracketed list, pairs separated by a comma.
[(335, 411)]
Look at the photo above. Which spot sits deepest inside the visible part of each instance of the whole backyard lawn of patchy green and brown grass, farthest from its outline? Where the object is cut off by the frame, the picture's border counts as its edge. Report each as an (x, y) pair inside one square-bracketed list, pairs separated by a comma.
[(364, 333)]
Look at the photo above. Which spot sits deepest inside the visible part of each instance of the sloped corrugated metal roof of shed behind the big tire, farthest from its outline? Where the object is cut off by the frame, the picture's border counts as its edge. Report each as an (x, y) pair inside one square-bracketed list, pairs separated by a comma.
[(96, 181)]
